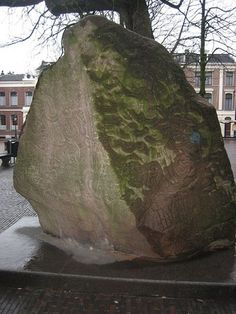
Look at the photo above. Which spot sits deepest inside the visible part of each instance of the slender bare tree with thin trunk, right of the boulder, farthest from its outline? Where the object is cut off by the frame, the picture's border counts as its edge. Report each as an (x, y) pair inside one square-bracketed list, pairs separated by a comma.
[(213, 28)]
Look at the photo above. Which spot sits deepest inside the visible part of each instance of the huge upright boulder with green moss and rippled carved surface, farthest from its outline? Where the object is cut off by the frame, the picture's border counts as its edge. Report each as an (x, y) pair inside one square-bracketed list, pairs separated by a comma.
[(118, 152)]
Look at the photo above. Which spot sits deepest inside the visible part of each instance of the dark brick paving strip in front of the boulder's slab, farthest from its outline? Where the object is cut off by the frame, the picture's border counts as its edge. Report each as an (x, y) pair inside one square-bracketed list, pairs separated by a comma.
[(53, 301)]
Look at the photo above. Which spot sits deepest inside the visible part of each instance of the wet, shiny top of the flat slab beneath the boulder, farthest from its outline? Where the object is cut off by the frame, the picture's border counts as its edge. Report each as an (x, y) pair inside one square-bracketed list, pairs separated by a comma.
[(25, 247)]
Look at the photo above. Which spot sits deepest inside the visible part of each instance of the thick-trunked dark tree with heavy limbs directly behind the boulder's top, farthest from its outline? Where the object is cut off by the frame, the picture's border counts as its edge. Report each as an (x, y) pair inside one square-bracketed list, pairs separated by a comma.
[(134, 13)]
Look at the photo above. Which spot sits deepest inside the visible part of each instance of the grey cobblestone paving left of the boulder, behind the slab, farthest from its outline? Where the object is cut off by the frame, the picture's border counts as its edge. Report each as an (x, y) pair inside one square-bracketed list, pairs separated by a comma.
[(12, 205)]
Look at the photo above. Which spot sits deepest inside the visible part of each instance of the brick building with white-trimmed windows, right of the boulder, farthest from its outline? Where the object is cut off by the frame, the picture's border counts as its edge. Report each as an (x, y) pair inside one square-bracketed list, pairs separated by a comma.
[(220, 86)]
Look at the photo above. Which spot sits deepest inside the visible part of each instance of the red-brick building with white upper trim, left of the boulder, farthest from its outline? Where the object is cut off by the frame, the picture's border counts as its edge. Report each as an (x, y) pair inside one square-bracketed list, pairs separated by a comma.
[(16, 93)]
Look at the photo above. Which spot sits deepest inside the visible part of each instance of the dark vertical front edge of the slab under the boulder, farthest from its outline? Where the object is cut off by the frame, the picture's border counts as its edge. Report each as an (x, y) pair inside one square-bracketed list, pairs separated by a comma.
[(111, 285)]
